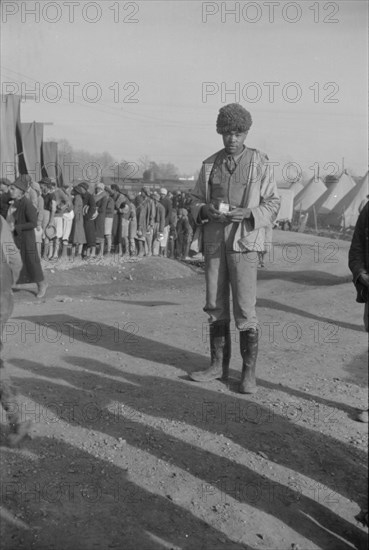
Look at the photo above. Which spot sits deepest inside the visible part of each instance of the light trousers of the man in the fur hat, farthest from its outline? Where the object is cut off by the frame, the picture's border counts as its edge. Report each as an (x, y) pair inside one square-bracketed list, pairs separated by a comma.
[(227, 271)]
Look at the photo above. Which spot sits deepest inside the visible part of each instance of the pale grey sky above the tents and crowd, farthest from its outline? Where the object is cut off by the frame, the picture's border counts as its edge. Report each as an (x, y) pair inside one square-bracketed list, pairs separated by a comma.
[(176, 63)]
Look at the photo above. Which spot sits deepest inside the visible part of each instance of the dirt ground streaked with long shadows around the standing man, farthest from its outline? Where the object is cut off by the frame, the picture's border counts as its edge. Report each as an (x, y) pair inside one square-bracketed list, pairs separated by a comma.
[(127, 453)]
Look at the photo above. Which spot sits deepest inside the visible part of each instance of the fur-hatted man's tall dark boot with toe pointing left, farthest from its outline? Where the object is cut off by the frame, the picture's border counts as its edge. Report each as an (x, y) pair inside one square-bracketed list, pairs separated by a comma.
[(217, 348)]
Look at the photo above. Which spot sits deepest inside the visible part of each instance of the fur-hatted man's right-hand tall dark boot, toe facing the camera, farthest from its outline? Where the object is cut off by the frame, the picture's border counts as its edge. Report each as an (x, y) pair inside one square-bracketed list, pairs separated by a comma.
[(249, 352)]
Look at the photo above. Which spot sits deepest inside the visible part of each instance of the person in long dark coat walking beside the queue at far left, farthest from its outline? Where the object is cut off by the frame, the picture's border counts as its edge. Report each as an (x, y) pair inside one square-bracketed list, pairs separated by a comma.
[(23, 223)]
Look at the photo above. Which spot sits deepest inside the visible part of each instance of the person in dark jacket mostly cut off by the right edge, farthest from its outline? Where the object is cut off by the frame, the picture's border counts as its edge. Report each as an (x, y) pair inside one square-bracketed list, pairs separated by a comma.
[(358, 261)]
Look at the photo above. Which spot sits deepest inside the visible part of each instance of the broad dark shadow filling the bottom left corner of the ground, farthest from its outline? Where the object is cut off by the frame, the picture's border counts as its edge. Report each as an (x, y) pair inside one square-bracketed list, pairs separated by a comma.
[(79, 501)]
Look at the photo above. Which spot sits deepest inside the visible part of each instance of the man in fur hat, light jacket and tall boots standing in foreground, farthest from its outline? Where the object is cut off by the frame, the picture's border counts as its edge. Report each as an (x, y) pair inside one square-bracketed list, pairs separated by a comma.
[(235, 198)]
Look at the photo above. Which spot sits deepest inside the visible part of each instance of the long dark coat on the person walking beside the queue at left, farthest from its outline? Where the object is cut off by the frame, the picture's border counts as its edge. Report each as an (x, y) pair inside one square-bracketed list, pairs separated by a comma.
[(25, 222)]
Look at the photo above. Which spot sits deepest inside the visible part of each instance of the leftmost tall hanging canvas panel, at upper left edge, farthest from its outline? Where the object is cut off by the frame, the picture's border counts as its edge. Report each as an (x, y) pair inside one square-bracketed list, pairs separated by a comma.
[(9, 135)]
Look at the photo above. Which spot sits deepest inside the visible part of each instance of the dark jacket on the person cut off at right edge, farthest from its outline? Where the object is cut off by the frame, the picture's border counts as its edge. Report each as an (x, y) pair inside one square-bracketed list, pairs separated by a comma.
[(359, 254)]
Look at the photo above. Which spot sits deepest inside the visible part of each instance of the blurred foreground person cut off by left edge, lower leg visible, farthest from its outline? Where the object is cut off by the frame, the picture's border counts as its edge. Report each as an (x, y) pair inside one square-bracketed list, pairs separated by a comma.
[(10, 267)]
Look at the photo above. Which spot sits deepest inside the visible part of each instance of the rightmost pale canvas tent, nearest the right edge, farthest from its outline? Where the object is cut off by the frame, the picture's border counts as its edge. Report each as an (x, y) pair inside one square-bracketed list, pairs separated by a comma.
[(346, 211)]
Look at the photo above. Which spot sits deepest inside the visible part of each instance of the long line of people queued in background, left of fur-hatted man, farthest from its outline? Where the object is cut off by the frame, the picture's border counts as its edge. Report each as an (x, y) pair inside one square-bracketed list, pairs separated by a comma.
[(78, 222)]
